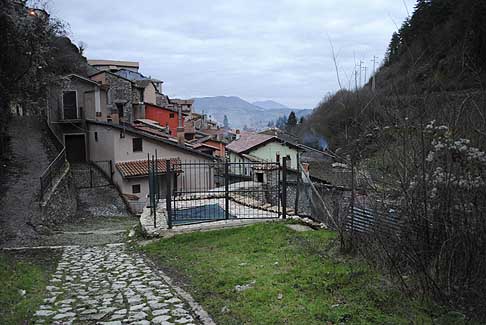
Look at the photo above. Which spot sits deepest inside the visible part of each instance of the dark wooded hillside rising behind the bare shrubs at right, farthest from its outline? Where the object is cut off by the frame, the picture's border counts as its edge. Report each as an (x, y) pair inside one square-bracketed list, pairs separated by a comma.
[(438, 53)]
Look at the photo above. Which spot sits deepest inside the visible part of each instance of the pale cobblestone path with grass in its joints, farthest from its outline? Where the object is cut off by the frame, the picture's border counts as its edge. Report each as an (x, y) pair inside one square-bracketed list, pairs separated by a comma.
[(110, 285)]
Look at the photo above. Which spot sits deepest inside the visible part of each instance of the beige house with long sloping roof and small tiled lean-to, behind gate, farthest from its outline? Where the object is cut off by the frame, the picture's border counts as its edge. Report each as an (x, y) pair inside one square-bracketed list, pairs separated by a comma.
[(128, 149)]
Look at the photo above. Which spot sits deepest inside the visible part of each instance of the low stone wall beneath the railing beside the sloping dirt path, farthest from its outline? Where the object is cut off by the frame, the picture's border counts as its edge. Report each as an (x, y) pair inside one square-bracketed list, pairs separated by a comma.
[(59, 205)]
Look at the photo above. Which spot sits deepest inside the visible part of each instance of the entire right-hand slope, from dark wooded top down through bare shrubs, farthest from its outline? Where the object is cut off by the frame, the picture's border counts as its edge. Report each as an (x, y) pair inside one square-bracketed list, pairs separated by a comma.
[(417, 147)]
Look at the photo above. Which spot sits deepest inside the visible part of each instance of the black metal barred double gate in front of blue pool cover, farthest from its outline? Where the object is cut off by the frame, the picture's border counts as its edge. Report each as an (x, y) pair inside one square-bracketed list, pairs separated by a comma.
[(211, 191)]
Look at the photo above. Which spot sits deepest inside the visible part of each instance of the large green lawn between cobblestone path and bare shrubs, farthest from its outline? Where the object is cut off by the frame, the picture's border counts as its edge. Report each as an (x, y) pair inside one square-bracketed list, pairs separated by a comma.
[(294, 278)]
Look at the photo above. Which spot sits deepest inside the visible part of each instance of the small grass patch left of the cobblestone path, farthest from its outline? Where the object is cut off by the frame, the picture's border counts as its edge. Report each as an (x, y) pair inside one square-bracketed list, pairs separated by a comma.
[(27, 273)]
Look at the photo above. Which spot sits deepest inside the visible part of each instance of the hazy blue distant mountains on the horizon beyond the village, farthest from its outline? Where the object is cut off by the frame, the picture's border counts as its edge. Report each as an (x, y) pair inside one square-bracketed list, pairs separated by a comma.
[(241, 113)]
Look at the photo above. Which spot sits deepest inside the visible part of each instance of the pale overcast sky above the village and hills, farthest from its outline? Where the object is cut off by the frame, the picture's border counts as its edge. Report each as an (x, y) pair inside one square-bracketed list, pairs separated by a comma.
[(254, 49)]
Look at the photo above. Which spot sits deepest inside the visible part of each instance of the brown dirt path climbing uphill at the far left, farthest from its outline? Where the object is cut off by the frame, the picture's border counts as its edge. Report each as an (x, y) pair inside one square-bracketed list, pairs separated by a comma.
[(20, 184)]
